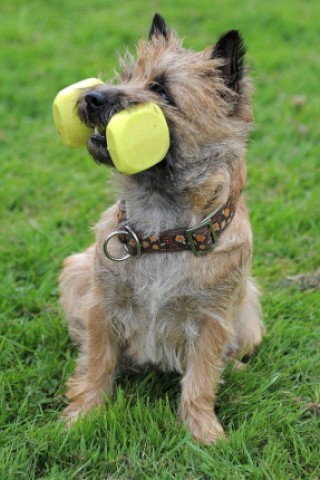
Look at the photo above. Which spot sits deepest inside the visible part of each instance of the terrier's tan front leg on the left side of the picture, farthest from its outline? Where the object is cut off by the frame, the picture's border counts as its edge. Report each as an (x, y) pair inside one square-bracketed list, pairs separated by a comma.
[(94, 378)]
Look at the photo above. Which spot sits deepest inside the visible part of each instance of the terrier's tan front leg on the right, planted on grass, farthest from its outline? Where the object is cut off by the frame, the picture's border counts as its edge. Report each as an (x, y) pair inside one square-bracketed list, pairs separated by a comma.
[(201, 379)]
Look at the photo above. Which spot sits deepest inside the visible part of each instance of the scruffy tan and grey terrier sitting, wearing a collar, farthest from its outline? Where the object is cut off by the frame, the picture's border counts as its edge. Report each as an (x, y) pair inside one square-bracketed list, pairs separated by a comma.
[(184, 299)]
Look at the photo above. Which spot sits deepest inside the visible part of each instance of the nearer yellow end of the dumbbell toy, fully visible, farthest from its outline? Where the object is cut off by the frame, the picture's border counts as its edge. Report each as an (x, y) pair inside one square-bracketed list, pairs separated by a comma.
[(138, 138)]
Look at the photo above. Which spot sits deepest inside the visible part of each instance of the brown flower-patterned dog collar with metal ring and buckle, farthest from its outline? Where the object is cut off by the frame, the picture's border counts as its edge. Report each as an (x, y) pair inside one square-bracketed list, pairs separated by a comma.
[(200, 239)]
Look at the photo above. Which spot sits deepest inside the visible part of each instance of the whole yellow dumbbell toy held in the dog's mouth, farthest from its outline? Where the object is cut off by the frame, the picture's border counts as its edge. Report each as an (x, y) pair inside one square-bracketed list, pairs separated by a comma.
[(137, 138)]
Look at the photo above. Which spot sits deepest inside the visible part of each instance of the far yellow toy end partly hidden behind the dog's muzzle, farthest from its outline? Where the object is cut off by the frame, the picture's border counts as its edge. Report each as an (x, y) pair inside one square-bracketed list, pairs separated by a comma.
[(72, 131)]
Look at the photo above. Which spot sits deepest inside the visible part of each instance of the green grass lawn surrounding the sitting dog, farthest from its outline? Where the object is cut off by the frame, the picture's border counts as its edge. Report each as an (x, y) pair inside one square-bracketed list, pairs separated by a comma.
[(51, 195)]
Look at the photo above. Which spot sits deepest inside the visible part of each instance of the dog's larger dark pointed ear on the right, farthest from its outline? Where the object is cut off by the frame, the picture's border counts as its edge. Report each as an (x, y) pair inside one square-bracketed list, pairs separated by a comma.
[(230, 48)]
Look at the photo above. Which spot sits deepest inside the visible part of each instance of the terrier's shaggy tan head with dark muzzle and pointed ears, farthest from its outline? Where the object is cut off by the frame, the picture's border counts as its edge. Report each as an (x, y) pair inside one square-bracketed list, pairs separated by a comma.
[(205, 97)]
